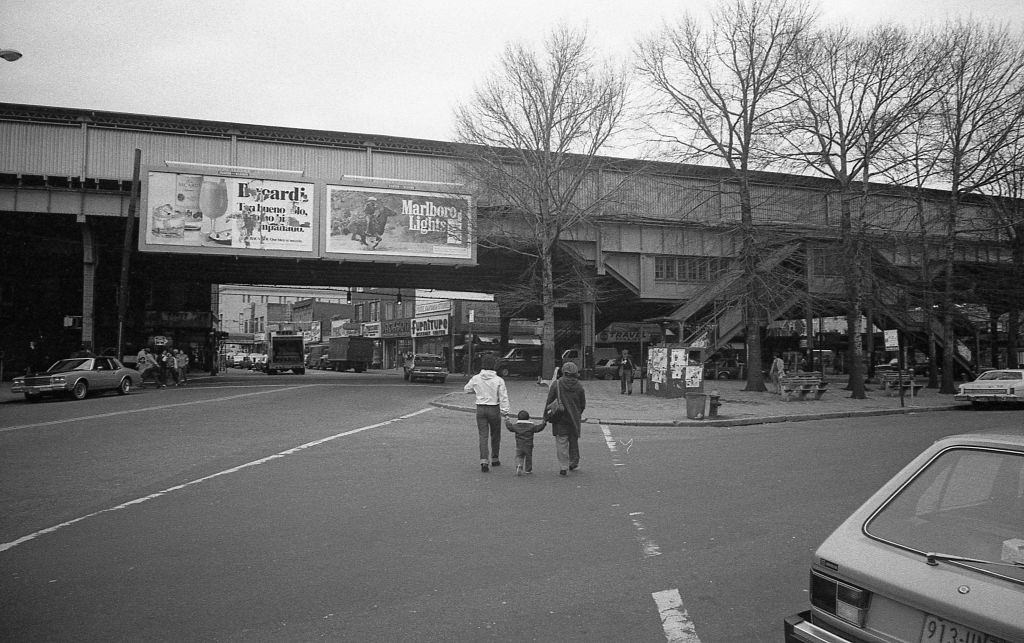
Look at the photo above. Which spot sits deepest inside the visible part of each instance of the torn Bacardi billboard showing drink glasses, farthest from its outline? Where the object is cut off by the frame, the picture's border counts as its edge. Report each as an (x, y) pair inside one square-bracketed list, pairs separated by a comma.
[(216, 215)]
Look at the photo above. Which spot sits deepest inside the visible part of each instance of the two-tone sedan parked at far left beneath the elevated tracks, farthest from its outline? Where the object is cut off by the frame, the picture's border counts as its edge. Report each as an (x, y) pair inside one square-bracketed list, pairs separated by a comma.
[(78, 377)]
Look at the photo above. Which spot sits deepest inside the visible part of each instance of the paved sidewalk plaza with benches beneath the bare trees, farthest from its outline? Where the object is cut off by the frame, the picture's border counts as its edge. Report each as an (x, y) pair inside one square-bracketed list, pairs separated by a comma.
[(607, 406)]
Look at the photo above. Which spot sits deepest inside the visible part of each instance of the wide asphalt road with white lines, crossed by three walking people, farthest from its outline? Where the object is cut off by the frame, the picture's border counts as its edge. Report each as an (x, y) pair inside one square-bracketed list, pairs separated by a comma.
[(346, 507)]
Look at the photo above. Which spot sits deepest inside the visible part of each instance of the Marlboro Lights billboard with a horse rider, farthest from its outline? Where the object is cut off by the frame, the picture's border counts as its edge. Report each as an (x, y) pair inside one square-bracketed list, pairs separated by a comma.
[(377, 224)]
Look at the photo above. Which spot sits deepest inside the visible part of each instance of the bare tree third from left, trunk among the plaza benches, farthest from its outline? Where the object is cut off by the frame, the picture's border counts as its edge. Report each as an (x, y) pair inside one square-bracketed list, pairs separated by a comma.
[(854, 97)]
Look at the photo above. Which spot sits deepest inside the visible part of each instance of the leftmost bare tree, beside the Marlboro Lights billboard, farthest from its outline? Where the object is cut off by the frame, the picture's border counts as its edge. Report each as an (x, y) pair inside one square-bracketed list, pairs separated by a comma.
[(533, 133)]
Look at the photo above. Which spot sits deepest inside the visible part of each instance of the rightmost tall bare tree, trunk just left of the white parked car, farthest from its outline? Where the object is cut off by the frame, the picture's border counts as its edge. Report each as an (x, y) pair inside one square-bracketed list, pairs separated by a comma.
[(980, 110)]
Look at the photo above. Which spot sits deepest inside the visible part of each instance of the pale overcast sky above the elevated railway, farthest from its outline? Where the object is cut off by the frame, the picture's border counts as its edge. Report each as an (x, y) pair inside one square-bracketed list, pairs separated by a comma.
[(374, 67)]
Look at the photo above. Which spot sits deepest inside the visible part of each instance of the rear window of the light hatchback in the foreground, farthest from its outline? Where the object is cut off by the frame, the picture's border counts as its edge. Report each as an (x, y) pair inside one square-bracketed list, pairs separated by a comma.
[(966, 502)]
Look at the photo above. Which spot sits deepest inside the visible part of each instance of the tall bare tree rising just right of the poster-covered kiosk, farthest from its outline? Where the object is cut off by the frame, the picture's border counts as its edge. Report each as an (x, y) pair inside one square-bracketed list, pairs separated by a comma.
[(718, 92)]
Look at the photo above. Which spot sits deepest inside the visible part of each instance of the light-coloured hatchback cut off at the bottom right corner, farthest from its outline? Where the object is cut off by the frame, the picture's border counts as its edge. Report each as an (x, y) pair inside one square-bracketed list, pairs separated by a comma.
[(935, 556)]
